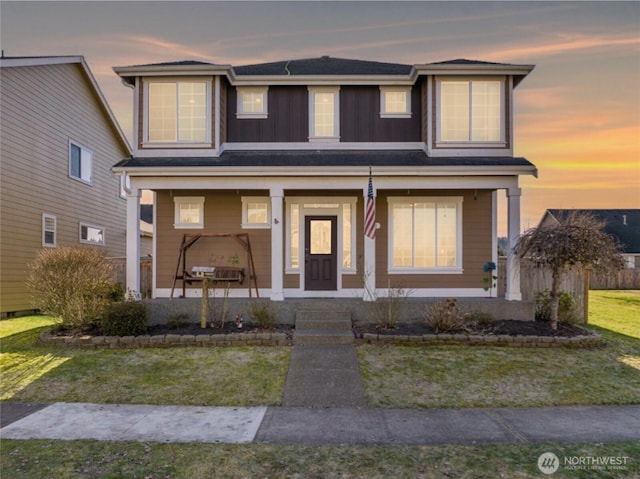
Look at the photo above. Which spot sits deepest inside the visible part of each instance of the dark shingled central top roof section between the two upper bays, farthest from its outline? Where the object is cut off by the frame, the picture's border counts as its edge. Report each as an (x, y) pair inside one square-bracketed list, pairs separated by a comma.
[(324, 65)]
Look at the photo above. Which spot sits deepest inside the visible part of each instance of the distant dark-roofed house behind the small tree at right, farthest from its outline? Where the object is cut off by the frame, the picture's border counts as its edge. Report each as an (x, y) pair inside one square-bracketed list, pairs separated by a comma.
[(623, 225)]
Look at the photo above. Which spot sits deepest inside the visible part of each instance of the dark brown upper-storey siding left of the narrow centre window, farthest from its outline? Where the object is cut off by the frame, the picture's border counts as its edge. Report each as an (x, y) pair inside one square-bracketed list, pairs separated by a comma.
[(288, 119)]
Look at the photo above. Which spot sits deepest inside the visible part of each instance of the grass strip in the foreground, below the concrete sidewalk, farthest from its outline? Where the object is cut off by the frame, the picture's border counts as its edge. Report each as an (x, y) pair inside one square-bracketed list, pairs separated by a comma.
[(36, 459)]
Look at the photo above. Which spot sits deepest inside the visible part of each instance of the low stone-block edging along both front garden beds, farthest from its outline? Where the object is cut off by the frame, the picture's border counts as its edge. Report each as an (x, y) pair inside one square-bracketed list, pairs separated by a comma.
[(285, 339)]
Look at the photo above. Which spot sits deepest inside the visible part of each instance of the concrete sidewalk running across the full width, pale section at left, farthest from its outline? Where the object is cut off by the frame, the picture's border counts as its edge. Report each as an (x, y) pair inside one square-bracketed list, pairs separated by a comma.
[(328, 426)]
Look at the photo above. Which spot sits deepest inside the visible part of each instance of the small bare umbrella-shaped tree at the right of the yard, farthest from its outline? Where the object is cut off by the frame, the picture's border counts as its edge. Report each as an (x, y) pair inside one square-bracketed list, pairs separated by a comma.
[(577, 240)]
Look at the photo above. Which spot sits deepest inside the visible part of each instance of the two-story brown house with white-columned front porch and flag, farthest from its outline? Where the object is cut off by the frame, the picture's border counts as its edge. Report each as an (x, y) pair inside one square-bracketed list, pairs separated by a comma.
[(283, 152)]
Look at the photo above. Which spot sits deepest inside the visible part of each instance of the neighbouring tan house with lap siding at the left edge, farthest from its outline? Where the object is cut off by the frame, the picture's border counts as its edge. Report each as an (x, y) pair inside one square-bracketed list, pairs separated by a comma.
[(58, 142)]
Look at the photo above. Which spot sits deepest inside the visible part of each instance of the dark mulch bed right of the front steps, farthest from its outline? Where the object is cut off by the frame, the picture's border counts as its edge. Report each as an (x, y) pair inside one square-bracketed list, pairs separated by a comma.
[(510, 327)]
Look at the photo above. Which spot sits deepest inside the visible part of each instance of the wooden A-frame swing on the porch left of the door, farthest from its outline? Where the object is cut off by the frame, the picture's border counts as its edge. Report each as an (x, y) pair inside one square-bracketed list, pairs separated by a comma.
[(227, 274)]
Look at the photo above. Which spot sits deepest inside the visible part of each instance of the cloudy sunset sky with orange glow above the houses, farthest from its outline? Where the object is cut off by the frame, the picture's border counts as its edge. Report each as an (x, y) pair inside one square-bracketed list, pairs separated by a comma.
[(577, 114)]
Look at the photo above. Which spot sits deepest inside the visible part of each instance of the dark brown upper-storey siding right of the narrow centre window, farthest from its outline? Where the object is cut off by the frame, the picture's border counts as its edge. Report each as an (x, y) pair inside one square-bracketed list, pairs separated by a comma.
[(360, 117)]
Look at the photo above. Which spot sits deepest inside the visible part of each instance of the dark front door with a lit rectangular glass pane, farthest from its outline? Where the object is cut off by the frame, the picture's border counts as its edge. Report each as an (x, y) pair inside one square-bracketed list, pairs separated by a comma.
[(321, 253)]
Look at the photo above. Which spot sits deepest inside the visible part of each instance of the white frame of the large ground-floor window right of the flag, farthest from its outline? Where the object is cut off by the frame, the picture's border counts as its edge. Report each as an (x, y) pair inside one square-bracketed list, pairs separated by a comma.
[(451, 200)]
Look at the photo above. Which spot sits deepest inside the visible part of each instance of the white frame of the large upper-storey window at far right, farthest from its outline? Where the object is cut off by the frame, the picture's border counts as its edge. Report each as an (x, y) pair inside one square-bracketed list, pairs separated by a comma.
[(503, 113)]
